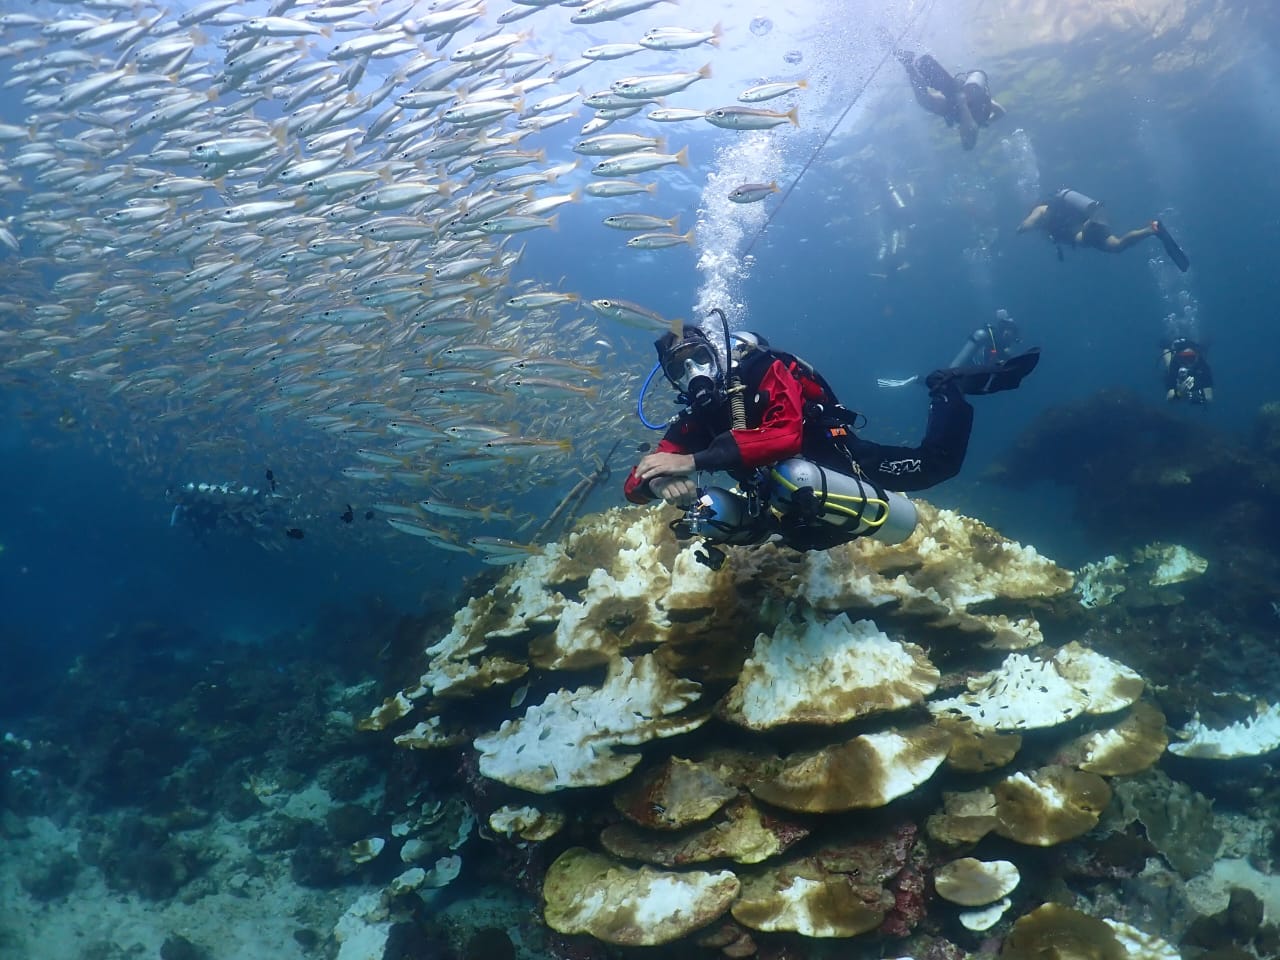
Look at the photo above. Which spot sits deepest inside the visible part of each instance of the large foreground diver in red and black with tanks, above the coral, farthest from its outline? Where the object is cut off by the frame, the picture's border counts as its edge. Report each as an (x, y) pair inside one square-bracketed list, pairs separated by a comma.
[(778, 428)]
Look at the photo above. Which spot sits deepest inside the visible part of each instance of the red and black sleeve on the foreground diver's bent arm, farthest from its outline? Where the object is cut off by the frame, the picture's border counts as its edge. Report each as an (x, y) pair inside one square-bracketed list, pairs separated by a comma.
[(779, 436)]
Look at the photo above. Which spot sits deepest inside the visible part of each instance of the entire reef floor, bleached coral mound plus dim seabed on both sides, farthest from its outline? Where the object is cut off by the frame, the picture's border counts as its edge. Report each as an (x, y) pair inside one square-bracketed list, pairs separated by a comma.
[(950, 748)]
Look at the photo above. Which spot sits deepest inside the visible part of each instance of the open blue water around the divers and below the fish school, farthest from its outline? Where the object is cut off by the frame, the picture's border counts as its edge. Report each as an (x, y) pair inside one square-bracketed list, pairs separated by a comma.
[(86, 536)]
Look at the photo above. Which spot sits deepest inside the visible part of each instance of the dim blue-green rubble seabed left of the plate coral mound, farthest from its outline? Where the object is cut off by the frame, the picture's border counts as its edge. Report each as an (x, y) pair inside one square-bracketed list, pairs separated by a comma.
[(189, 797)]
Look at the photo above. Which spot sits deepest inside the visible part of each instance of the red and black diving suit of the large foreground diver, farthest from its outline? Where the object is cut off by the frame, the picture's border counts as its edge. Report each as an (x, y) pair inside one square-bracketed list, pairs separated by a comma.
[(793, 413)]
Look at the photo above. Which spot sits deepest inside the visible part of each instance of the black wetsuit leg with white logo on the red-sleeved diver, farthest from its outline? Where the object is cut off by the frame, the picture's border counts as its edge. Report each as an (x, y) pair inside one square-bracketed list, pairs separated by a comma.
[(939, 458)]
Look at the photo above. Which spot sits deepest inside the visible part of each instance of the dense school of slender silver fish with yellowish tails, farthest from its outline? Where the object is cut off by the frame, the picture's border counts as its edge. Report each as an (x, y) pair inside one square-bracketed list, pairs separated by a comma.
[(241, 231)]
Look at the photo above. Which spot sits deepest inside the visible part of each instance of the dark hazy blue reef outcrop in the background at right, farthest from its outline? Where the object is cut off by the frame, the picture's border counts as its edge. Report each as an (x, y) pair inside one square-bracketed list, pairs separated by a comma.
[(1180, 478)]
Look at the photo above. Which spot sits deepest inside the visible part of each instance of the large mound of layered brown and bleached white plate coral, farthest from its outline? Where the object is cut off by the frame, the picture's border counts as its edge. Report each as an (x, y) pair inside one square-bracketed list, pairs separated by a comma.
[(912, 749)]
